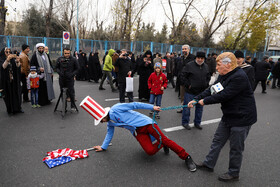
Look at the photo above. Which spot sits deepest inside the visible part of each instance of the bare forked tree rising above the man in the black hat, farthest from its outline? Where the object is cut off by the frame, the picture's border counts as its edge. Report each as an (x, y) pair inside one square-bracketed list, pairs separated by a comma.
[(218, 19)]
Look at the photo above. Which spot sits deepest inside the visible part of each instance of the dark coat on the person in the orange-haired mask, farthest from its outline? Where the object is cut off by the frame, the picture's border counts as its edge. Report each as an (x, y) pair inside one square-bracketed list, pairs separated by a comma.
[(237, 99)]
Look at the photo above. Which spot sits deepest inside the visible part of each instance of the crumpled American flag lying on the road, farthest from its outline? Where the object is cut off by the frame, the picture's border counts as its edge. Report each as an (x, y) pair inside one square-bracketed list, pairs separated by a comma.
[(62, 156)]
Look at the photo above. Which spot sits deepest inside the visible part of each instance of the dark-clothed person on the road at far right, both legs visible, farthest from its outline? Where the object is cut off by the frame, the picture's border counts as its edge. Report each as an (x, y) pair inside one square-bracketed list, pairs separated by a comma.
[(261, 72)]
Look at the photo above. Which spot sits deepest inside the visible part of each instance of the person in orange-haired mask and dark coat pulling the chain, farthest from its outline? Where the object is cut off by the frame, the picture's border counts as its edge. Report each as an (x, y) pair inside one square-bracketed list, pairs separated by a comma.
[(239, 114)]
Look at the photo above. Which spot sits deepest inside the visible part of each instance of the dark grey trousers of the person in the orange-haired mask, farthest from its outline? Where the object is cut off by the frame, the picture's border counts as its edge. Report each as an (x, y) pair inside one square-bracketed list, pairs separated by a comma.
[(236, 137)]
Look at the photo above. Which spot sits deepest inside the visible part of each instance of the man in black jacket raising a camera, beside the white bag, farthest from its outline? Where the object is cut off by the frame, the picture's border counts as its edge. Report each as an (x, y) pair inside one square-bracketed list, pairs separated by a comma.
[(124, 65)]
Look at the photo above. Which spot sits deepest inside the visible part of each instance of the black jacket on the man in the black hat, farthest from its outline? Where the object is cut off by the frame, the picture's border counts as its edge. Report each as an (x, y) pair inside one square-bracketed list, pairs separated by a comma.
[(195, 77)]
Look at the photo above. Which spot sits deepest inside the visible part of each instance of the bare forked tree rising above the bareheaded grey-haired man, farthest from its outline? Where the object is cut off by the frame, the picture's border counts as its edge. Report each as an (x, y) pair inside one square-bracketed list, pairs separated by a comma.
[(176, 26)]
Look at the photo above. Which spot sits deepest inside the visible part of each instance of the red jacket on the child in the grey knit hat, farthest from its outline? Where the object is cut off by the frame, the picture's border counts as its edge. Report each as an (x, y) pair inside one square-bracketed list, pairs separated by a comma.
[(156, 82)]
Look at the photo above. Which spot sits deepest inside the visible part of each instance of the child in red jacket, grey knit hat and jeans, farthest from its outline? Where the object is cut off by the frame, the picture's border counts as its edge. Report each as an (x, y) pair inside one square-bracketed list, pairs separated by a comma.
[(157, 82)]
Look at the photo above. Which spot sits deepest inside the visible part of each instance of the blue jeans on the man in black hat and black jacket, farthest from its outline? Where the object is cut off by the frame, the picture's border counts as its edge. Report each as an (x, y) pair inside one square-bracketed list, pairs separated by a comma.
[(186, 111)]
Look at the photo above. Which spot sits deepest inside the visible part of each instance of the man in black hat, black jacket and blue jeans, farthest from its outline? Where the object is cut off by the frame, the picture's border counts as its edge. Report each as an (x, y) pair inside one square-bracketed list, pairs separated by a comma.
[(195, 77)]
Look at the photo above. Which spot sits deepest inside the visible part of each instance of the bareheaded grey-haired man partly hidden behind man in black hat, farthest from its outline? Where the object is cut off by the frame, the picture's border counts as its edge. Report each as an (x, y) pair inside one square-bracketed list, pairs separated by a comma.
[(186, 58)]
